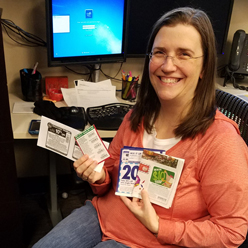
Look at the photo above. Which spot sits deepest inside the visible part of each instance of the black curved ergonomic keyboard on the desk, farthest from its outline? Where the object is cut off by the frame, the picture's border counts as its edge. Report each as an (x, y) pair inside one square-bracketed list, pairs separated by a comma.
[(109, 116)]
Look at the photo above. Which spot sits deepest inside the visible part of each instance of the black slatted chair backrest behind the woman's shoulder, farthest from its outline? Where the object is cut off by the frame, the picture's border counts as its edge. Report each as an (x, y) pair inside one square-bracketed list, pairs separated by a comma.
[(234, 108)]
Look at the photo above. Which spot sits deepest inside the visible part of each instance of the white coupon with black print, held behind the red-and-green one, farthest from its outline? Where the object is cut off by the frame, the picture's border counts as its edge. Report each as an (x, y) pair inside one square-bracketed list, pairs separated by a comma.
[(59, 138)]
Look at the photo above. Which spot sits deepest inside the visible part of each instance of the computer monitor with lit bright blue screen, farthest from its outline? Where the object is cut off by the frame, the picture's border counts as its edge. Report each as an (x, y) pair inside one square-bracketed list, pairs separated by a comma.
[(86, 31)]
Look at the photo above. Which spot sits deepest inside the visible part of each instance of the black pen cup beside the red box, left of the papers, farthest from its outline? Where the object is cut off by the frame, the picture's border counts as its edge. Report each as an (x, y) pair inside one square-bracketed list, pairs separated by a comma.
[(31, 85)]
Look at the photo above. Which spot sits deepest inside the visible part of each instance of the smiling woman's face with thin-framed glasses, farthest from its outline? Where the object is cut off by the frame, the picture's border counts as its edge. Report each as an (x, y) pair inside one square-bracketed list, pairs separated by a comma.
[(175, 80)]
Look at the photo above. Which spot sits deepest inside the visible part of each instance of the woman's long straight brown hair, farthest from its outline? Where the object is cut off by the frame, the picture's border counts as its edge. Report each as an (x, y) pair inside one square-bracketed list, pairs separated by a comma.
[(202, 112)]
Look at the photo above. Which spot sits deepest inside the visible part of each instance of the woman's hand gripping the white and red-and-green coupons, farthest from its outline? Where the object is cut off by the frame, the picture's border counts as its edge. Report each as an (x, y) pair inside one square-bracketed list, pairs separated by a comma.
[(84, 168)]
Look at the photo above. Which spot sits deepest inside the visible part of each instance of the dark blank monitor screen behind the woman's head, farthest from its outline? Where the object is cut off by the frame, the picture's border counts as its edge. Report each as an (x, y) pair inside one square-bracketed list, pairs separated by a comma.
[(144, 13)]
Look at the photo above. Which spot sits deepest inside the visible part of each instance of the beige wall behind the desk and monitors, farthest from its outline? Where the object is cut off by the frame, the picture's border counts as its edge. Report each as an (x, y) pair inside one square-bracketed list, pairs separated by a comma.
[(30, 16)]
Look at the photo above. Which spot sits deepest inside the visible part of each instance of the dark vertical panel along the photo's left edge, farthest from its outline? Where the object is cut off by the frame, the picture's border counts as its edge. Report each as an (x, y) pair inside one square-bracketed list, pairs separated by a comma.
[(10, 227)]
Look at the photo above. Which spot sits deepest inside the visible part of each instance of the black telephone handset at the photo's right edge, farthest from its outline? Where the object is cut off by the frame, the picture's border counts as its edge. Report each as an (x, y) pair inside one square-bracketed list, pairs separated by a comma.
[(239, 53)]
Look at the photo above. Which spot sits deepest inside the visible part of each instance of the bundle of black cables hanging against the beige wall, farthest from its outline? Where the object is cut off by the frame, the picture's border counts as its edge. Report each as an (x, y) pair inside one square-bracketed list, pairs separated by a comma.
[(27, 39)]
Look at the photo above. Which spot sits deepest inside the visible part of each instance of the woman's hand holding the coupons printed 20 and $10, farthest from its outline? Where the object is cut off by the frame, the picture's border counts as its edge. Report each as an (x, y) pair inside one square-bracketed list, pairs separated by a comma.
[(143, 211)]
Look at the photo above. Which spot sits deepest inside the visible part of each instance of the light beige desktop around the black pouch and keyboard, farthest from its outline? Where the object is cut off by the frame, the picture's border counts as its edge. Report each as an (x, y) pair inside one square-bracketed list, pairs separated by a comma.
[(21, 122)]
